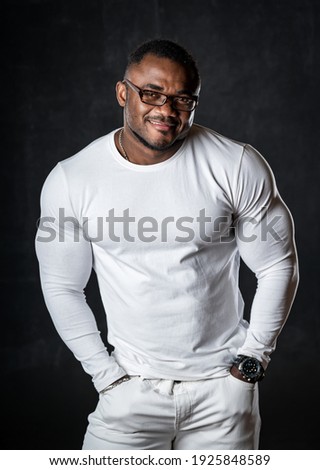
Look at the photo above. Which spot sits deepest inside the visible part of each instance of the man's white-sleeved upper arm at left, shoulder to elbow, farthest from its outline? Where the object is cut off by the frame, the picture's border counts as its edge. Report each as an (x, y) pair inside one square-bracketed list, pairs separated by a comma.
[(63, 252)]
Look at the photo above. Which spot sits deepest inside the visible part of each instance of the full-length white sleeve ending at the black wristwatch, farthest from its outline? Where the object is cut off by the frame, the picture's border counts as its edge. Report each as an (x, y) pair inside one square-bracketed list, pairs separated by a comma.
[(265, 237)]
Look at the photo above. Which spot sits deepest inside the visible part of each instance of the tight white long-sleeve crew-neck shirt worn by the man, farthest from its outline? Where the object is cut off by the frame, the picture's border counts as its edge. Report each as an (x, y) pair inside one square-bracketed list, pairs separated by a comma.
[(165, 241)]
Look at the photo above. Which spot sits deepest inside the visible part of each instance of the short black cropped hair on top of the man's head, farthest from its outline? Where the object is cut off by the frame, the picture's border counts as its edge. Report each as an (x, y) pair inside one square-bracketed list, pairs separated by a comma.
[(166, 49)]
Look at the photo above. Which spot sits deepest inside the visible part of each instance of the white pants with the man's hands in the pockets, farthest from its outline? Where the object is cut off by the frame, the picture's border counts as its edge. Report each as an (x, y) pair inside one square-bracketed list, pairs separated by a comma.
[(220, 413)]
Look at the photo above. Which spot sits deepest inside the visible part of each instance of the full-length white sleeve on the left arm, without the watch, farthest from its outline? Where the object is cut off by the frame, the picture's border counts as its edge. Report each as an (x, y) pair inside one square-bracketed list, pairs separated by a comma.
[(65, 261)]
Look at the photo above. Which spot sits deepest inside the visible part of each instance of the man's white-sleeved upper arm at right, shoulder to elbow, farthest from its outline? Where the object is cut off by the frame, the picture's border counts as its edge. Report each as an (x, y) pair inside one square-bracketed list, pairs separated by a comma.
[(263, 224)]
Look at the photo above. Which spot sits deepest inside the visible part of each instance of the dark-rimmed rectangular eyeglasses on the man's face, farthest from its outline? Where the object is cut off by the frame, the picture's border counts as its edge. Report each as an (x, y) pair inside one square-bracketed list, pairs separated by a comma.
[(155, 98)]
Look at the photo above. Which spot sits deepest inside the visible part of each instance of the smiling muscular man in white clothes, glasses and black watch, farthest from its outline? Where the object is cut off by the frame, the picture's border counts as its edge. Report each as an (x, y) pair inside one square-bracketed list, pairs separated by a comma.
[(163, 209)]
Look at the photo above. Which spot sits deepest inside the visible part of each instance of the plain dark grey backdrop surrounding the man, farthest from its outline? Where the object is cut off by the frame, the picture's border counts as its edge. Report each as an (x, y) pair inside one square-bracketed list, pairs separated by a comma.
[(260, 84)]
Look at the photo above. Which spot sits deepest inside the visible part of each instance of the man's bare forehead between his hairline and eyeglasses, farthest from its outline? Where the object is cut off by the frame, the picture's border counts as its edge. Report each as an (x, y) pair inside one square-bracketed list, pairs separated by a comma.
[(162, 72)]
